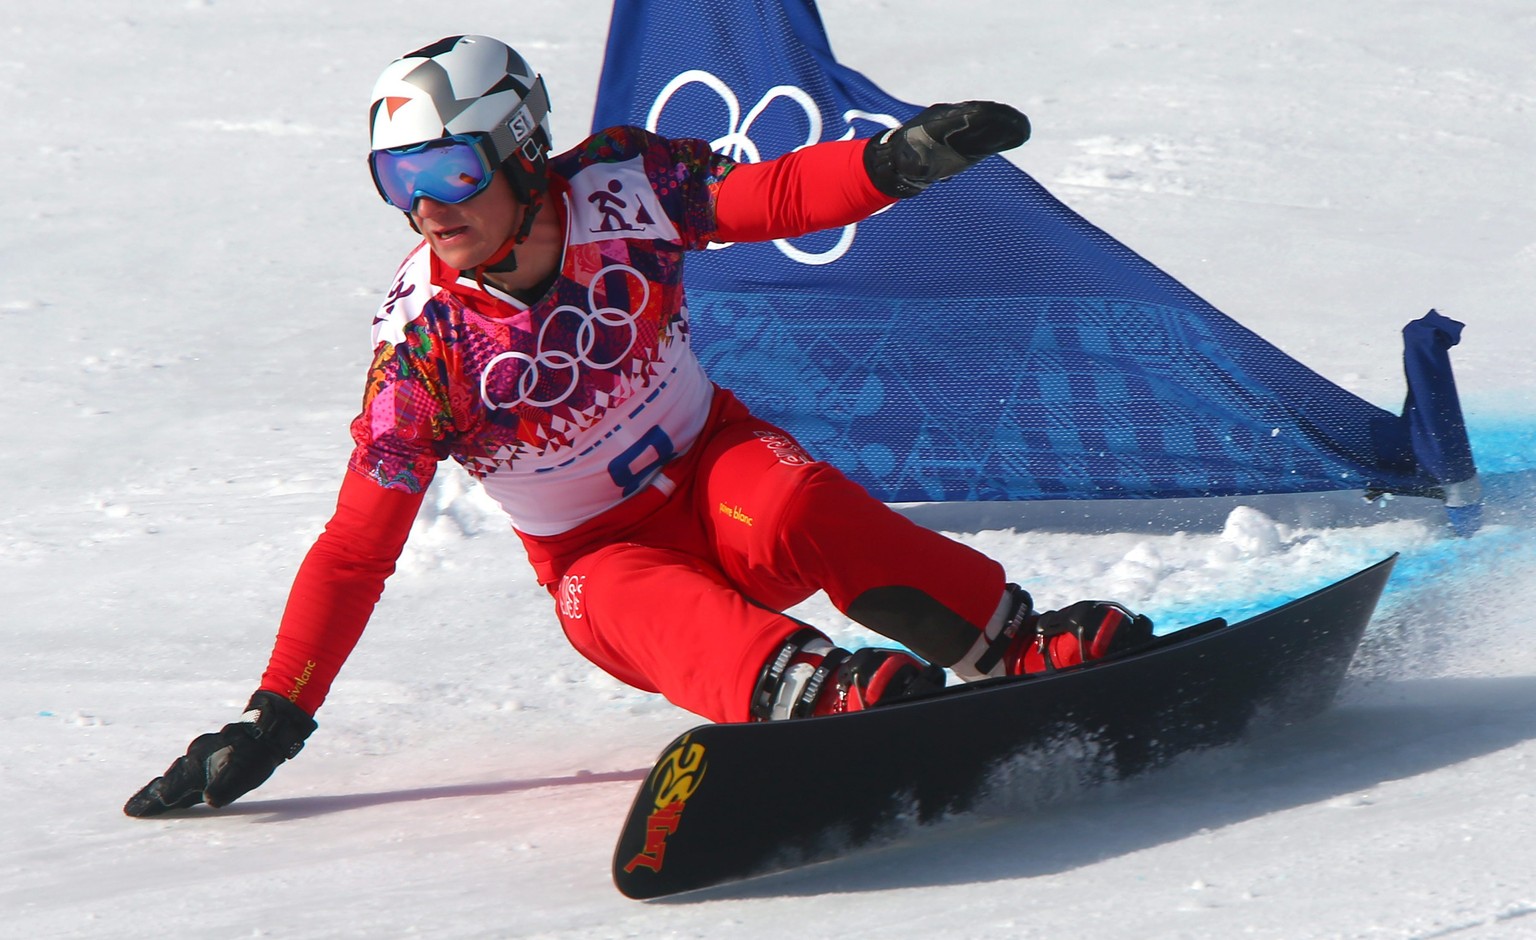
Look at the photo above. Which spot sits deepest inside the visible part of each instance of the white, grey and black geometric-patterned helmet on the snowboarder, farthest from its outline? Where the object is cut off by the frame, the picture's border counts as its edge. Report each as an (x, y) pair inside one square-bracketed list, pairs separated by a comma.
[(463, 85)]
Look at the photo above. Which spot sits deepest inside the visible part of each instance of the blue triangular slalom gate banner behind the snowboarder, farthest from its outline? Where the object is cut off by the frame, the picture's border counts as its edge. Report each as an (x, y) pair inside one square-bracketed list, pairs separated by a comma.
[(984, 342)]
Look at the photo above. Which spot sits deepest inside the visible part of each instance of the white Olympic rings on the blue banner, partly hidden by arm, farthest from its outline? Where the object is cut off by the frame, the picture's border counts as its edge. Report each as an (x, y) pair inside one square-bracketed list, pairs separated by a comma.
[(738, 144)]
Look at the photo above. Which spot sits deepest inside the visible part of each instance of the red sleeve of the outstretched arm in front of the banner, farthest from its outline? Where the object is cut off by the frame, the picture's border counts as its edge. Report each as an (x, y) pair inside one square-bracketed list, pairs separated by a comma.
[(823, 187)]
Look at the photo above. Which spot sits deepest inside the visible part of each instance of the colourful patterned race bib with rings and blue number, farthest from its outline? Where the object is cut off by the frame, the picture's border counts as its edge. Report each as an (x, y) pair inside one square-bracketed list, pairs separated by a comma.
[(568, 406)]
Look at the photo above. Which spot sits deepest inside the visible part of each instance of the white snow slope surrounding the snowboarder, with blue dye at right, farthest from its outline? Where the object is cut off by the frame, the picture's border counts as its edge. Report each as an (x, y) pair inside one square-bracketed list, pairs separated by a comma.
[(190, 260)]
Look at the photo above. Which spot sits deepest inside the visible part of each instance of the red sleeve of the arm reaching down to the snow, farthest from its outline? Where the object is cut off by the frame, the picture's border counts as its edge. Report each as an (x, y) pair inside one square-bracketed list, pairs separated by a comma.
[(337, 587)]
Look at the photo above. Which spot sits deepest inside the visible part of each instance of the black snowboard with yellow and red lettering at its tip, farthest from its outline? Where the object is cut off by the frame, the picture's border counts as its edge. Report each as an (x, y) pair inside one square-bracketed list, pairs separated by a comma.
[(727, 803)]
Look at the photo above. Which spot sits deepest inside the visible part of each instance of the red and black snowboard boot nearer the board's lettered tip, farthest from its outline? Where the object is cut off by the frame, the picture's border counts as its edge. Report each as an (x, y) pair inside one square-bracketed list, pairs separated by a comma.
[(810, 677)]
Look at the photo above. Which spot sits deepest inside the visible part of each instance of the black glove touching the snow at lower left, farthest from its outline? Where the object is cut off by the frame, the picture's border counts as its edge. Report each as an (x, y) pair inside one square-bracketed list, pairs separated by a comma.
[(222, 767)]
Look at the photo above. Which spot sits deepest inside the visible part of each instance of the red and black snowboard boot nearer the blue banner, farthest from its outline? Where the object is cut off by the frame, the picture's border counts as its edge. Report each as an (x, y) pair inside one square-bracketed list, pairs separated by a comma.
[(1022, 641)]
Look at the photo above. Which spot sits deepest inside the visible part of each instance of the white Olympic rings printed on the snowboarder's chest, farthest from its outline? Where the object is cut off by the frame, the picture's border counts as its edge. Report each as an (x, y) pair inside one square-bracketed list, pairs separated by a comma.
[(600, 328)]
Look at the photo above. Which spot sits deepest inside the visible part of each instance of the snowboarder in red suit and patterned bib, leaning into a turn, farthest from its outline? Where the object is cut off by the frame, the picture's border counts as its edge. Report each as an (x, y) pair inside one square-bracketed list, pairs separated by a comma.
[(546, 348)]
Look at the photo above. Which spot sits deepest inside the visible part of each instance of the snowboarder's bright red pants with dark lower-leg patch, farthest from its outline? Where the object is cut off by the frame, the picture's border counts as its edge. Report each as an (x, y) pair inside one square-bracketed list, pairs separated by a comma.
[(680, 589)]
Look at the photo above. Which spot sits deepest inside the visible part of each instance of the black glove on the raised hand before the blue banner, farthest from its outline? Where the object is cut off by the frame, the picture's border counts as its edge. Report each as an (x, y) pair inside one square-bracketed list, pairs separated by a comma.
[(941, 142)]
